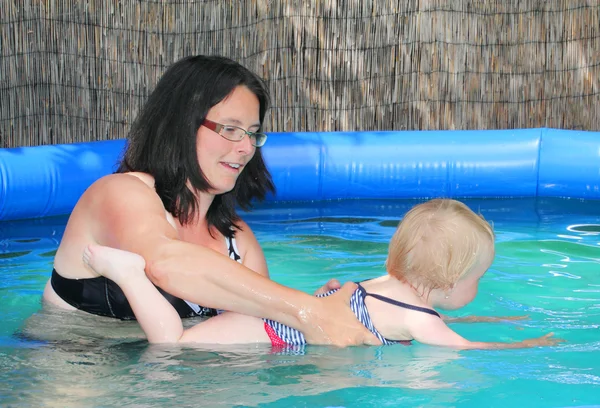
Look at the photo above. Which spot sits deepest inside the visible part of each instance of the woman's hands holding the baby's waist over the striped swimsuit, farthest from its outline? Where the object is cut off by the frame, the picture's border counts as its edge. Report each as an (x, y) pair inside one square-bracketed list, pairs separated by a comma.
[(331, 321)]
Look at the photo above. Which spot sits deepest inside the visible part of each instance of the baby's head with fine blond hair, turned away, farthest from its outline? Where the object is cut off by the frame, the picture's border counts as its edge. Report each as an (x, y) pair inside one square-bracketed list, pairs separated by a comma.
[(441, 248)]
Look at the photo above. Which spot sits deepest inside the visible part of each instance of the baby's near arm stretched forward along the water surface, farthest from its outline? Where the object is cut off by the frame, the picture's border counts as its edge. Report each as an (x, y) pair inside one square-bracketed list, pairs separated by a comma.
[(432, 330)]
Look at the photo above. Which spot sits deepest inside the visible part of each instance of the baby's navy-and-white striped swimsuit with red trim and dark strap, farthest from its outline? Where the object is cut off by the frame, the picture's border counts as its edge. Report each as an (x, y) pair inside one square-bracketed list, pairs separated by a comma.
[(285, 336)]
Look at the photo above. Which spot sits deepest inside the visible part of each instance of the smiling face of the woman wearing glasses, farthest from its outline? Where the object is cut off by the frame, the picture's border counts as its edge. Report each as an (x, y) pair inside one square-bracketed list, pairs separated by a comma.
[(221, 160)]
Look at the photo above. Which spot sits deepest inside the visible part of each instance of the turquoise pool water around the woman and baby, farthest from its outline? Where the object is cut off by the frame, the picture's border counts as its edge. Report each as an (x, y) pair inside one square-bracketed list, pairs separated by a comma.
[(547, 267)]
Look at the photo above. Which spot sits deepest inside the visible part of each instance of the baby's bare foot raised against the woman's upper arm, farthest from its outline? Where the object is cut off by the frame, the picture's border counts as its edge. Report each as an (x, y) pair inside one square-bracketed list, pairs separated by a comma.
[(112, 263)]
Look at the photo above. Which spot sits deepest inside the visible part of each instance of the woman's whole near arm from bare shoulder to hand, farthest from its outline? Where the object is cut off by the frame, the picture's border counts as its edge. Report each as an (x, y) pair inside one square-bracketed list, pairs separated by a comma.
[(130, 216)]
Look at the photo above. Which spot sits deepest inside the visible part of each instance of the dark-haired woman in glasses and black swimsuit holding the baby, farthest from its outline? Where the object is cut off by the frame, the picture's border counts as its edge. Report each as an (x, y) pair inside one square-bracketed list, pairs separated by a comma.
[(193, 156)]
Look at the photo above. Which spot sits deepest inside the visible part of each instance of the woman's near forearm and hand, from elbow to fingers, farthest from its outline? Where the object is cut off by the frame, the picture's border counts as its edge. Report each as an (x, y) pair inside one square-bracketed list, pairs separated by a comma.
[(236, 288)]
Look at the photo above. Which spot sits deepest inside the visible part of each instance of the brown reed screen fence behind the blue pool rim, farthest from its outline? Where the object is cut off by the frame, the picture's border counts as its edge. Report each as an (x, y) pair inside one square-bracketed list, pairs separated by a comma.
[(74, 71)]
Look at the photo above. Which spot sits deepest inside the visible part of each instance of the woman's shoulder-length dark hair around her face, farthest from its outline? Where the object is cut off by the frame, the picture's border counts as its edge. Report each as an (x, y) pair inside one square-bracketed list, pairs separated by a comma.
[(162, 141)]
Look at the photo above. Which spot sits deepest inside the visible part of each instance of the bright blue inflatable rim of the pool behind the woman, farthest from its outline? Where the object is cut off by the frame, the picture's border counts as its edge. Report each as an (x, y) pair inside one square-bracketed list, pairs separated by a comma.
[(47, 180)]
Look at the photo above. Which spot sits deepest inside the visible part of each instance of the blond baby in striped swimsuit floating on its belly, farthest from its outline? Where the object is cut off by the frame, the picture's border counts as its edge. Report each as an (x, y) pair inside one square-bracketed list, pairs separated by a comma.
[(436, 258)]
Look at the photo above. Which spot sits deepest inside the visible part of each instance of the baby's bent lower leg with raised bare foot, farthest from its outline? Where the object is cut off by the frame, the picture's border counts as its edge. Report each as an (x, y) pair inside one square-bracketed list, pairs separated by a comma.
[(155, 314)]
